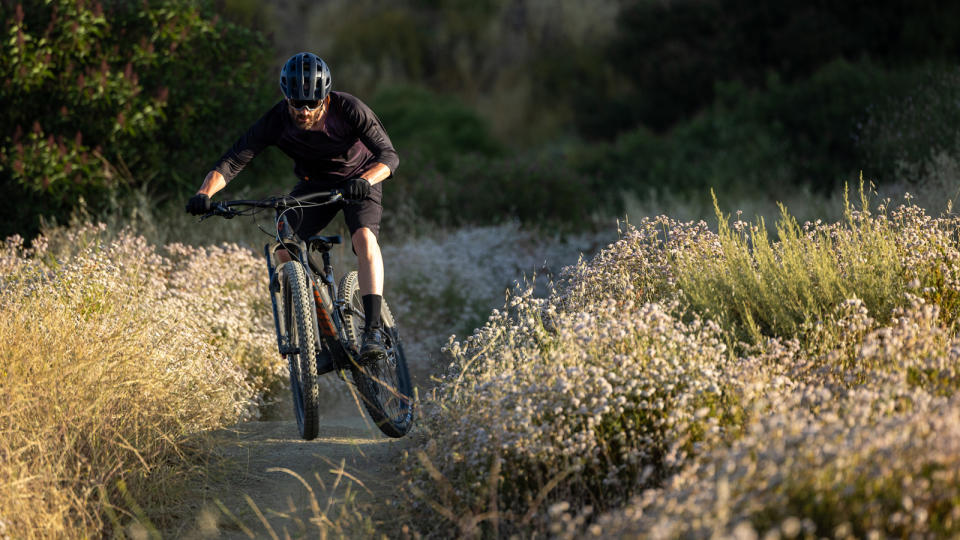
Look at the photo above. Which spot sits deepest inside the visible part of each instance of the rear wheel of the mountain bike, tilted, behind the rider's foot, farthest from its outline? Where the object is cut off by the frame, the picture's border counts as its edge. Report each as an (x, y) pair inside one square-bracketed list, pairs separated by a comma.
[(384, 386)]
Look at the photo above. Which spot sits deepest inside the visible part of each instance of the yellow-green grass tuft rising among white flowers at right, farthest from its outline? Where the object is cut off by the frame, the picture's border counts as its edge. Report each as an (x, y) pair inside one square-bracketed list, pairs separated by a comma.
[(757, 287)]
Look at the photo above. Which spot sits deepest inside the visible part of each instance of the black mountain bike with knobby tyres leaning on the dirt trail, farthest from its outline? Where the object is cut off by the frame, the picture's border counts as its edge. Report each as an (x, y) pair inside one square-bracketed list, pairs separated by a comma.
[(319, 324)]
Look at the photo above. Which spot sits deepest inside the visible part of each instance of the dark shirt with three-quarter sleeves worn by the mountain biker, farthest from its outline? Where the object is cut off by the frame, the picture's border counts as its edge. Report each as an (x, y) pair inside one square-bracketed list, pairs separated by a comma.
[(350, 141)]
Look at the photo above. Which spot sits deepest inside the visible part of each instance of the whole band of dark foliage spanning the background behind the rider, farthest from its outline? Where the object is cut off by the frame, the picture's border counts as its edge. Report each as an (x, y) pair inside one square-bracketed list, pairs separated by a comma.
[(510, 84)]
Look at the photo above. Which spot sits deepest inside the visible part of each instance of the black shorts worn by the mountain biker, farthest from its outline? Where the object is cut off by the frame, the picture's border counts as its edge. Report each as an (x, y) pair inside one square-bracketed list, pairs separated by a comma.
[(310, 221)]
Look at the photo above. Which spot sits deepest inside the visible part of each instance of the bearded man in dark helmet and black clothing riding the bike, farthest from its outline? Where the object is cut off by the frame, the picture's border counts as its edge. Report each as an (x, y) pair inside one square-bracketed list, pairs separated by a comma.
[(335, 141)]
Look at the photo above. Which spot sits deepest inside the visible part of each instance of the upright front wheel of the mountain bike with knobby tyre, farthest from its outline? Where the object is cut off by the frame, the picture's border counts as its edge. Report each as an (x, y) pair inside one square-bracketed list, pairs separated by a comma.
[(300, 322)]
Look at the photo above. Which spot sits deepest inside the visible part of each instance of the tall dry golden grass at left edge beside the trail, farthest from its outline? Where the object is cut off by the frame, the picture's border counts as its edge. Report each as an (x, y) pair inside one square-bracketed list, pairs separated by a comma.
[(113, 358)]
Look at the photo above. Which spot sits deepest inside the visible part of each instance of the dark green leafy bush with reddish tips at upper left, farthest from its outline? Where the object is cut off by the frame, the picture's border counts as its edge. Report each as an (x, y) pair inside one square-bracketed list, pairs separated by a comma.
[(107, 95)]
